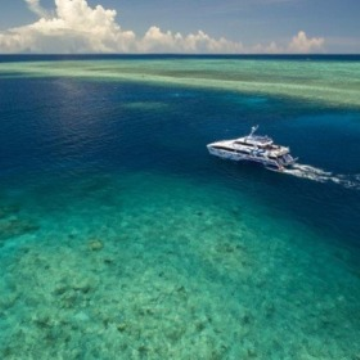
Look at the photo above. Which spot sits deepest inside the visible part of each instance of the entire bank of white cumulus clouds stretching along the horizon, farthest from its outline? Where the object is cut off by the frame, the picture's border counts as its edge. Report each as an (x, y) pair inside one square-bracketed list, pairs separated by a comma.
[(76, 27)]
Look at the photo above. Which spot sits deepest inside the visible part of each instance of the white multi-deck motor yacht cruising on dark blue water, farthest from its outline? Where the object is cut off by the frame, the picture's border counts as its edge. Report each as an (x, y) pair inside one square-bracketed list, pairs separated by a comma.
[(254, 148)]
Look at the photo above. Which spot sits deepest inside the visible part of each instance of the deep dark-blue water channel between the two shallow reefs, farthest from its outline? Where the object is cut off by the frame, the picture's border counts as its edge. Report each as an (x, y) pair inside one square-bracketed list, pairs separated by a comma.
[(67, 126)]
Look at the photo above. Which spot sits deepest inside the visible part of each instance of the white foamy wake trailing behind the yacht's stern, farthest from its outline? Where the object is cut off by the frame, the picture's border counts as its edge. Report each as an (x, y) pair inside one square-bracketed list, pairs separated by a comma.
[(319, 175)]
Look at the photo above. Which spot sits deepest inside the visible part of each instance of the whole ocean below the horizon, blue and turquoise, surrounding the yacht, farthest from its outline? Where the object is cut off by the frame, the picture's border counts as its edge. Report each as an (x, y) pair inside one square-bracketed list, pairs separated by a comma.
[(122, 238)]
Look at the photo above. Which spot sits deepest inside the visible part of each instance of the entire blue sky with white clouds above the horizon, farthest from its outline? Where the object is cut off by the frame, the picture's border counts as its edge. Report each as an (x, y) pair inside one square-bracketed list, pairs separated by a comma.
[(163, 26)]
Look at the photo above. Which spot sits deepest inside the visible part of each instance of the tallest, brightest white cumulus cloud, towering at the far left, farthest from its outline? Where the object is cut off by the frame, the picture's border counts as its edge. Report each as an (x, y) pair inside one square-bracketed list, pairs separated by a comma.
[(75, 28)]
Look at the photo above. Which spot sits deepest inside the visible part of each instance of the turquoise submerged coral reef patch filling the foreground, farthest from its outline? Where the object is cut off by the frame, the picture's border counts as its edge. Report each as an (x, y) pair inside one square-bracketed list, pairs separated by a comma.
[(150, 280)]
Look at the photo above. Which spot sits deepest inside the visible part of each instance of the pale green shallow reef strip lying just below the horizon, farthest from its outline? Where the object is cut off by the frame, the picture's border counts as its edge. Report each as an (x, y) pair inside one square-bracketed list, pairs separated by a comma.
[(332, 83)]
